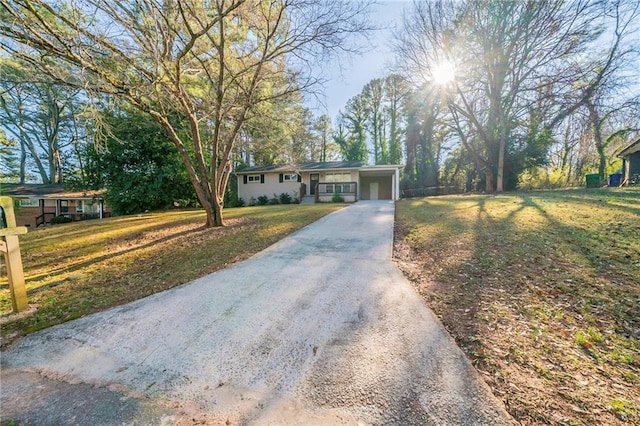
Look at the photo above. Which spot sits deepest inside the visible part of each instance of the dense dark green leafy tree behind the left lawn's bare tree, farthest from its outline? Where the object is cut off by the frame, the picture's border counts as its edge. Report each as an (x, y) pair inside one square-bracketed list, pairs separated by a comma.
[(138, 165)]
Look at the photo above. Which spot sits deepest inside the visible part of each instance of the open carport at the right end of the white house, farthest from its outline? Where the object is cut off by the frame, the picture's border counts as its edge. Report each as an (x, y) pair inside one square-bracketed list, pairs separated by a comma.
[(379, 182)]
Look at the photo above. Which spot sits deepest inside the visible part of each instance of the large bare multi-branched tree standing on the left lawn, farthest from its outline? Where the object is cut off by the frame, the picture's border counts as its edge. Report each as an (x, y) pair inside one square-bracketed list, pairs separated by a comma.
[(207, 63)]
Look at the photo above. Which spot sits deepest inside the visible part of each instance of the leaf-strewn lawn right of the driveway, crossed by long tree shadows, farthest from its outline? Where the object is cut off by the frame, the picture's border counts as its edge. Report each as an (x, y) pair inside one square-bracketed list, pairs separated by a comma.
[(542, 291)]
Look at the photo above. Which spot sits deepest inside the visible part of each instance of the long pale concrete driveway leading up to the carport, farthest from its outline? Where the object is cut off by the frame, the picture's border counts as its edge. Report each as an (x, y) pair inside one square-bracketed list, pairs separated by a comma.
[(320, 328)]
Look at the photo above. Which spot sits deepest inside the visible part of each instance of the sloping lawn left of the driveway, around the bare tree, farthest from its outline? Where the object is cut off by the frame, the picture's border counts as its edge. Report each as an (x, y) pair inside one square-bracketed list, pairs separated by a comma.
[(75, 269)]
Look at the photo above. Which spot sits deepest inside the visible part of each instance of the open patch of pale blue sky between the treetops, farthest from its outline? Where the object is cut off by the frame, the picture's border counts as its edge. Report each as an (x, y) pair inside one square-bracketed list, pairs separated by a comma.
[(347, 82)]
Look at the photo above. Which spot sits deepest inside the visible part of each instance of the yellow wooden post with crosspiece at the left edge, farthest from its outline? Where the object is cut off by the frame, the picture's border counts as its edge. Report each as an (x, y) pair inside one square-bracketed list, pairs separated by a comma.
[(10, 247)]
